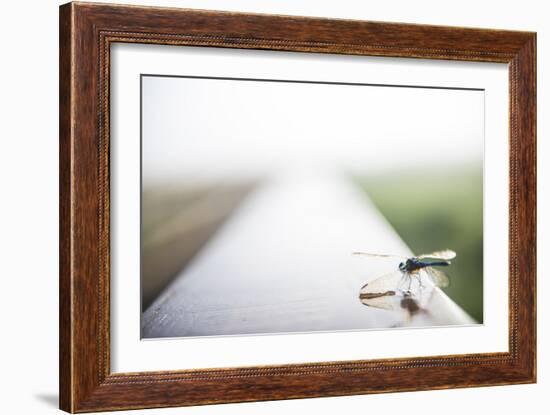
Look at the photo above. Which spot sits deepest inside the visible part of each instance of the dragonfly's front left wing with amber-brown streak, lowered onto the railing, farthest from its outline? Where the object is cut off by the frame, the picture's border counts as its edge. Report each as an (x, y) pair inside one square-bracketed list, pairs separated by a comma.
[(383, 291)]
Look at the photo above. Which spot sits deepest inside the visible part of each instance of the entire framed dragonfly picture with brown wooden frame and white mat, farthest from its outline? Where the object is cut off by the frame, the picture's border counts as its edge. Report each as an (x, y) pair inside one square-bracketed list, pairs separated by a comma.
[(258, 207)]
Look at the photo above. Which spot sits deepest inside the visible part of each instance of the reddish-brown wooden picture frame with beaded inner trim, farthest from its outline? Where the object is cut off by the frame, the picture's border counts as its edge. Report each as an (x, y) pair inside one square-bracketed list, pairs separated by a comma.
[(86, 33)]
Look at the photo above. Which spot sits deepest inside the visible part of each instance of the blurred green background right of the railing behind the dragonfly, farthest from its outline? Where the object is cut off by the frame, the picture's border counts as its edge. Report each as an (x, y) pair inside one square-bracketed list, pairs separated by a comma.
[(434, 210)]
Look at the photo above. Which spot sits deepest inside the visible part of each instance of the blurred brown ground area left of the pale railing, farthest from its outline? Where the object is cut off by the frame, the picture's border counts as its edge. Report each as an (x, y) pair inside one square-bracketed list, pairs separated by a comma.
[(177, 222)]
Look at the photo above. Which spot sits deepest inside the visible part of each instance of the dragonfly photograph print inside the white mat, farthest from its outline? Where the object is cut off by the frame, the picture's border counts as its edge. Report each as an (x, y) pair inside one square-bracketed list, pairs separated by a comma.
[(276, 206)]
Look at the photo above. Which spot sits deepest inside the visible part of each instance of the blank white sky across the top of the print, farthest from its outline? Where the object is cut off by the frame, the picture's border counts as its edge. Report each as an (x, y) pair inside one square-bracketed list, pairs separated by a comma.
[(202, 129)]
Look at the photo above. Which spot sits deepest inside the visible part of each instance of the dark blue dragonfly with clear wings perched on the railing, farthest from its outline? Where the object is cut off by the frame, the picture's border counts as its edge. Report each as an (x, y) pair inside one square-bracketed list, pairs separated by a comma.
[(389, 290)]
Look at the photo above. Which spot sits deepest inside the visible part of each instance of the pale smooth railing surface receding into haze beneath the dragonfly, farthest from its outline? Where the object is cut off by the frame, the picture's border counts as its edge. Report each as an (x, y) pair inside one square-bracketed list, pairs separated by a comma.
[(283, 263)]
